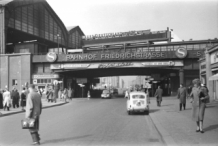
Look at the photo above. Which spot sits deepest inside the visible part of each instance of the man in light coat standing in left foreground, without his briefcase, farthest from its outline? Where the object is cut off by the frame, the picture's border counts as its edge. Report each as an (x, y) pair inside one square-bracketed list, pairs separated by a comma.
[(33, 111)]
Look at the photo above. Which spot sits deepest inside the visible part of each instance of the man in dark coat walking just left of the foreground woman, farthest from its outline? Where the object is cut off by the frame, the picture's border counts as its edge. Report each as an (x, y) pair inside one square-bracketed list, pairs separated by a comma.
[(182, 95)]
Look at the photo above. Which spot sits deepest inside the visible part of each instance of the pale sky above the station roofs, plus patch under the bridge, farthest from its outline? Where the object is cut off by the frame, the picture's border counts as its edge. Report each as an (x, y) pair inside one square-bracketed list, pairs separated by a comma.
[(189, 19)]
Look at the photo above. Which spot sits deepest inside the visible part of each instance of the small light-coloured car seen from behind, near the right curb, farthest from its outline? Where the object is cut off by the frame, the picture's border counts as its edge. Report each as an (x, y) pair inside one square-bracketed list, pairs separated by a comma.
[(138, 102)]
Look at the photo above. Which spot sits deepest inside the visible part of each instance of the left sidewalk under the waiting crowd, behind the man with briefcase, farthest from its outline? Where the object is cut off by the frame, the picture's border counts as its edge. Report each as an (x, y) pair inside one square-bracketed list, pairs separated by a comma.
[(45, 104)]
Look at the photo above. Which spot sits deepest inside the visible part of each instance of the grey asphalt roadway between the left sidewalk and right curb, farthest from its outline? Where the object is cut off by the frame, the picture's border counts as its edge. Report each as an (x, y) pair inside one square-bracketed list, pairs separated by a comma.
[(84, 122)]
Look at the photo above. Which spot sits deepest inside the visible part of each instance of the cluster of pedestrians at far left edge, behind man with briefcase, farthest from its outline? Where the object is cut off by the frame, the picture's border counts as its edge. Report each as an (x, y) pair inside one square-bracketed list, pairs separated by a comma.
[(13, 98)]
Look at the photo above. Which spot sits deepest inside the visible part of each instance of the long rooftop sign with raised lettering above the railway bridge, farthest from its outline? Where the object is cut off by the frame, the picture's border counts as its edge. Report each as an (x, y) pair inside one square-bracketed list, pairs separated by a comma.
[(124, 37)]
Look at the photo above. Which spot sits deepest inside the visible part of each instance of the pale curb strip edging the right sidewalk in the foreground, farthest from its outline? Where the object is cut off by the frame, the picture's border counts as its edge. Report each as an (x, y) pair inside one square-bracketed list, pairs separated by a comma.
[(167, 138)]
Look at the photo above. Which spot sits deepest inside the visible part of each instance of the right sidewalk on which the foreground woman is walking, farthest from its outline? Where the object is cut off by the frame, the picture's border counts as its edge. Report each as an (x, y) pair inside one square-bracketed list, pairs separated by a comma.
[(177, 127)]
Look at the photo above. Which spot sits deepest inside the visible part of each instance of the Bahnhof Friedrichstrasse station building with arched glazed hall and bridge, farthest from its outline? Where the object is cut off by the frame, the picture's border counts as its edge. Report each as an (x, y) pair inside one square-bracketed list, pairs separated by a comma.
[(35, 44)]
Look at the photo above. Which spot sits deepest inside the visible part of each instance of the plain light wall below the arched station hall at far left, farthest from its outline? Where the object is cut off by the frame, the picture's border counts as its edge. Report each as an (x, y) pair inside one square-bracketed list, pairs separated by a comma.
[(16, 66)]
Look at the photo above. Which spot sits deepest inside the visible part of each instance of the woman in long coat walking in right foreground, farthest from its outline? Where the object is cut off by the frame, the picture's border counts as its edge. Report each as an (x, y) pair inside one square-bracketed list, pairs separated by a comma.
[(199, 96)]
